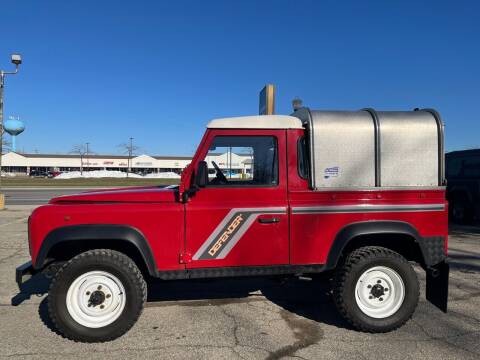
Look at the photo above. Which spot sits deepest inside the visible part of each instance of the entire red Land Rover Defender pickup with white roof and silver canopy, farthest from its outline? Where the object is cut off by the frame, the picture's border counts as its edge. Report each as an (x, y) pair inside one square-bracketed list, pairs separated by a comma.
[(357, 193)]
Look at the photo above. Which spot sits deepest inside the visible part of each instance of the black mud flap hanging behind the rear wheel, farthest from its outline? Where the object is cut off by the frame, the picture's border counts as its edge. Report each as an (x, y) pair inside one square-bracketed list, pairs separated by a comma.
[(437, 284)]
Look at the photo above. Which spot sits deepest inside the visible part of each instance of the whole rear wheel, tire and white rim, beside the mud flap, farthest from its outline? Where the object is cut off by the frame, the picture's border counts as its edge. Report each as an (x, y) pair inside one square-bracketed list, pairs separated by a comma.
[(376, 290)]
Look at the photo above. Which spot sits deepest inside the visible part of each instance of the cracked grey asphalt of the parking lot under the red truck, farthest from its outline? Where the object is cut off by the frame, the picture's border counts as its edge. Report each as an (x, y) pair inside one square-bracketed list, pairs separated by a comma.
[(243, 318)]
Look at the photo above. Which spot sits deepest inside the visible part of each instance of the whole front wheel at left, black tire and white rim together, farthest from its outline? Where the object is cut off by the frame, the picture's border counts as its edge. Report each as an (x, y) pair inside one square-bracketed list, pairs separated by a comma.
[(97, 296)]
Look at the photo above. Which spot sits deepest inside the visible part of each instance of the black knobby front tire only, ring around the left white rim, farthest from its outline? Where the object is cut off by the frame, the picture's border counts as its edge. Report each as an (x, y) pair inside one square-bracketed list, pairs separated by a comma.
[(110, 261)]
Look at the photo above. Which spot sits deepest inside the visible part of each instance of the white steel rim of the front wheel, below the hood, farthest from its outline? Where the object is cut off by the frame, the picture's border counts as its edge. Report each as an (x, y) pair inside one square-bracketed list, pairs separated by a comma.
[(96, 299)]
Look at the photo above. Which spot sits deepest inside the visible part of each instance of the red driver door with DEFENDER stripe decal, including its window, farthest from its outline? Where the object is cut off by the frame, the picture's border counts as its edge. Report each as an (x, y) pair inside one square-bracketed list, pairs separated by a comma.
[(239, 218)]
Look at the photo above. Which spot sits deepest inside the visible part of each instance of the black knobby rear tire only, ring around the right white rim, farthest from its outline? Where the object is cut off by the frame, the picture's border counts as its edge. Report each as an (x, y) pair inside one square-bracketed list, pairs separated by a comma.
[(347, 275)]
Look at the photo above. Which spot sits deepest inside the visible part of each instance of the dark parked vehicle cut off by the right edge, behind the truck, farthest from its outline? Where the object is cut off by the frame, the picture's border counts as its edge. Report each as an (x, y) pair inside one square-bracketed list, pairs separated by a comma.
[(463, 184)]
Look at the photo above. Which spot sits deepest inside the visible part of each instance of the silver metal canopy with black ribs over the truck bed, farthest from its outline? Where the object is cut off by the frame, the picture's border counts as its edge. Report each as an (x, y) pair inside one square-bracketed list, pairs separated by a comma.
[(363, 149)]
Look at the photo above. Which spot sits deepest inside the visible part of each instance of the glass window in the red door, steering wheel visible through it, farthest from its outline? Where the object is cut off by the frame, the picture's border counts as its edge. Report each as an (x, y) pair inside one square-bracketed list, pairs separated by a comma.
[(243, 161)]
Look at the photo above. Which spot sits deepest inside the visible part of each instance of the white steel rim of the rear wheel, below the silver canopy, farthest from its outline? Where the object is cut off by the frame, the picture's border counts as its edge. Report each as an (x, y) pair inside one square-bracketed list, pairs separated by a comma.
[(379, 292)]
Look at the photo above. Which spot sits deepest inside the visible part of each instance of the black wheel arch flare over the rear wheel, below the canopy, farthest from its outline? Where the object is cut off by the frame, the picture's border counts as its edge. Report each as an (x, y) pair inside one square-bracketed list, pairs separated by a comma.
[(398, 236)]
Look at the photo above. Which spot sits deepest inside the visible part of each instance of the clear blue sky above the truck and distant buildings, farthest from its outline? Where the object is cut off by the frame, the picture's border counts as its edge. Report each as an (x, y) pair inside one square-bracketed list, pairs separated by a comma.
[(102, 71)]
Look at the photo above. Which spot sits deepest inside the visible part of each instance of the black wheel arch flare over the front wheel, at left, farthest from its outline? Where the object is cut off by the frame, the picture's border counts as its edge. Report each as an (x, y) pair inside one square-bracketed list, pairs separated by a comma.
[(65, 242)]
